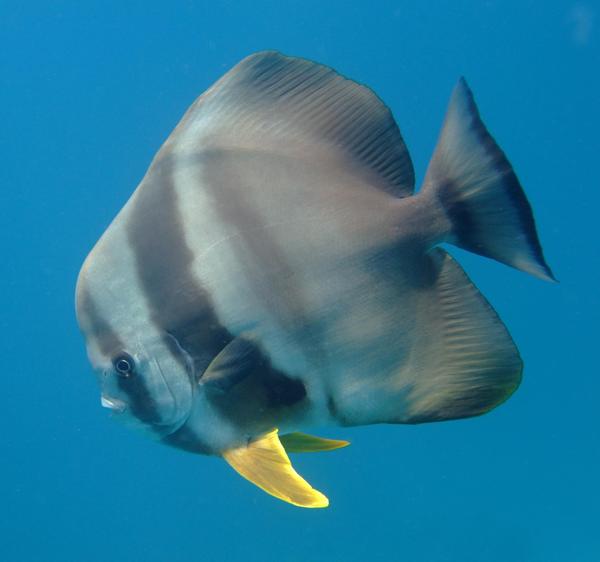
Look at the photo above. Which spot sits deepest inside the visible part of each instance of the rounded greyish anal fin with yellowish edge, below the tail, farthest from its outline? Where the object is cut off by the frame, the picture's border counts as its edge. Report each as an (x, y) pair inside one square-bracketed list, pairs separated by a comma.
[(467, 362)]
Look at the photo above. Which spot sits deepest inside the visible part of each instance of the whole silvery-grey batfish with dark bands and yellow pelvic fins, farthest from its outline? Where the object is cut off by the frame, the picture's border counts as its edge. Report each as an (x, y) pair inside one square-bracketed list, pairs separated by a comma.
[(275, 271)]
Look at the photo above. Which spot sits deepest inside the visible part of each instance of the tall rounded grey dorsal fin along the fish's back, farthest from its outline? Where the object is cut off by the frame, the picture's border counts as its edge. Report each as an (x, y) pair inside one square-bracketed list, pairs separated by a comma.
[(278, 104)]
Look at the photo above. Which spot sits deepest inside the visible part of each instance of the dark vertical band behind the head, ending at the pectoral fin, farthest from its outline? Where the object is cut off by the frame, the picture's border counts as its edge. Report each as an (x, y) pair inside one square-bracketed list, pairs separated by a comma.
[(179, 306)]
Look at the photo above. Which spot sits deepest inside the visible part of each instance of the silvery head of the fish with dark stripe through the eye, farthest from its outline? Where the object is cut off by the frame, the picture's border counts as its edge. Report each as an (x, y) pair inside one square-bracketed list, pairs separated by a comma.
[(143, 382)]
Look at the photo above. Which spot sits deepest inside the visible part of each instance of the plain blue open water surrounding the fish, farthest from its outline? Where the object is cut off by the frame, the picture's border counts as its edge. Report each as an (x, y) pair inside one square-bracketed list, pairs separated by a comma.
[(89, 91)]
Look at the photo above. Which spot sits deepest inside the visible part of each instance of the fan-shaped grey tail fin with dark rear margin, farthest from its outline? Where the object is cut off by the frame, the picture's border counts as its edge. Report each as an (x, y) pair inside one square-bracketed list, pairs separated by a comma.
[(480, 193)]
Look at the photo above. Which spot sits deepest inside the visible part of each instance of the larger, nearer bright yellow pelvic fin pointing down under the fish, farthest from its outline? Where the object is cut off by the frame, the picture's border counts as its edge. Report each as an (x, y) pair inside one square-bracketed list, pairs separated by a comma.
[(265, 463)]
